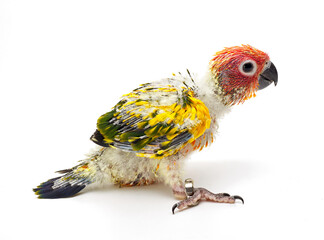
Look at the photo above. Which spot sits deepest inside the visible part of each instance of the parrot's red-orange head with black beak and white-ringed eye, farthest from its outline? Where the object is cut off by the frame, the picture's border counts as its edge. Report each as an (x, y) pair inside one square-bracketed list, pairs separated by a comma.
[(238, 72)]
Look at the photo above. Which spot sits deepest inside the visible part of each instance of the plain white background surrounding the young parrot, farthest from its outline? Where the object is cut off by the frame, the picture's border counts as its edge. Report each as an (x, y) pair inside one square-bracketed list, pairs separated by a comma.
[(64, 63)]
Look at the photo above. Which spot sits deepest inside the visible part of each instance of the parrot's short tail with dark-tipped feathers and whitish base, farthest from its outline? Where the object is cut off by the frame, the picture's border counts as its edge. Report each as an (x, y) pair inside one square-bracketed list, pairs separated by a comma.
[(72, 181)]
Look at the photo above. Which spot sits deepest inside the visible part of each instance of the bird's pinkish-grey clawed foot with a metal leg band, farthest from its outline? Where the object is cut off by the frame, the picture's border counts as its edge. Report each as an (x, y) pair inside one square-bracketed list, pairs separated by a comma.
[(195, 195)]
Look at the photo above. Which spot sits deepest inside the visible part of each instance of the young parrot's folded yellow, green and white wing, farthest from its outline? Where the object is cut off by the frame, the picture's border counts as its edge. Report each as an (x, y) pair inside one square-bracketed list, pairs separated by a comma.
[(155, 120)]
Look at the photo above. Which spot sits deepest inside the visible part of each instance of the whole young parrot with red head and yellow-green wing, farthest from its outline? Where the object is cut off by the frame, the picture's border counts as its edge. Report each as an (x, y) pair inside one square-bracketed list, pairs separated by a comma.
[(151, 130)]
